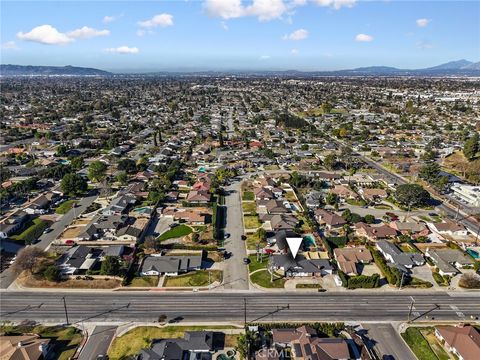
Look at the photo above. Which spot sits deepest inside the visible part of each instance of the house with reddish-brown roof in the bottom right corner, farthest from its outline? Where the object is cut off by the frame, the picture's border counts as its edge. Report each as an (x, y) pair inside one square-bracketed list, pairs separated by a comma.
[(462, 341)]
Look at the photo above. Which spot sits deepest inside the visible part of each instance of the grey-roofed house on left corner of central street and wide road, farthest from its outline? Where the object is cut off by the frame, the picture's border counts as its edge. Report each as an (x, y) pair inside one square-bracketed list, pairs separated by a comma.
[(170, 265)]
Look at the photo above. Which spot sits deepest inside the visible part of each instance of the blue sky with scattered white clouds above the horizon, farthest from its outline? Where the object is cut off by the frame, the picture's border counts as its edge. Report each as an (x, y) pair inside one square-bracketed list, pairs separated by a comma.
[(191, 35)]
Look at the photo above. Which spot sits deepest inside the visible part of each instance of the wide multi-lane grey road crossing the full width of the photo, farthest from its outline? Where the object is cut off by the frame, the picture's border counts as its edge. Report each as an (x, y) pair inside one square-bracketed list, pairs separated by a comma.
[(218, 306)]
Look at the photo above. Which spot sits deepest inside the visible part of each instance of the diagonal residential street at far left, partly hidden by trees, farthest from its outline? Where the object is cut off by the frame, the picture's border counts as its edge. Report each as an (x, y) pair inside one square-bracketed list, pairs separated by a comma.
[(8, 277)]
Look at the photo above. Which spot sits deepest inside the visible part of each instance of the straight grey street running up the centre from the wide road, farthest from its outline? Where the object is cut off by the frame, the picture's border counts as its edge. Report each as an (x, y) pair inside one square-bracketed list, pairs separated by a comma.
[(235, 275)]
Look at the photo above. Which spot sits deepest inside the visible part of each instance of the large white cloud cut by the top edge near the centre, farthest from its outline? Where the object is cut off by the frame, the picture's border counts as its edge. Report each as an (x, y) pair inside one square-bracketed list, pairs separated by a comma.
[(264, 10)]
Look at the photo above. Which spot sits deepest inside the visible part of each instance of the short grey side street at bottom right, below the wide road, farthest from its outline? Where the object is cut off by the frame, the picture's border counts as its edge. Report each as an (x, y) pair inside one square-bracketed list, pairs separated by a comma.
[(388, 343)]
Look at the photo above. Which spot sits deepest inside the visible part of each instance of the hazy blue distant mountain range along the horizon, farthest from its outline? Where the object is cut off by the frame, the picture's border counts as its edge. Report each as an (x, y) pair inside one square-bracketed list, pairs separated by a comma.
[(452, 68)]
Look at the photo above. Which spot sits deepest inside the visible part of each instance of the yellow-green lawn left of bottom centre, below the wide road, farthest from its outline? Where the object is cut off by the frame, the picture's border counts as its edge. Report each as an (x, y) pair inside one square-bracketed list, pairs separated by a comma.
[(140, 337)]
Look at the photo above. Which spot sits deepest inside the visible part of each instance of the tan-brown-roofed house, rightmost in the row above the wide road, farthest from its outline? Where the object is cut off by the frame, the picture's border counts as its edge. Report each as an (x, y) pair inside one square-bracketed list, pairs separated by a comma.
[(449, 260)]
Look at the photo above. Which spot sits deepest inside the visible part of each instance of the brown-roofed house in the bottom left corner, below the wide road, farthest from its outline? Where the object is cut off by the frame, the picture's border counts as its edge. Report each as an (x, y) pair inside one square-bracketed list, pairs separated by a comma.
[(23, 347)]
